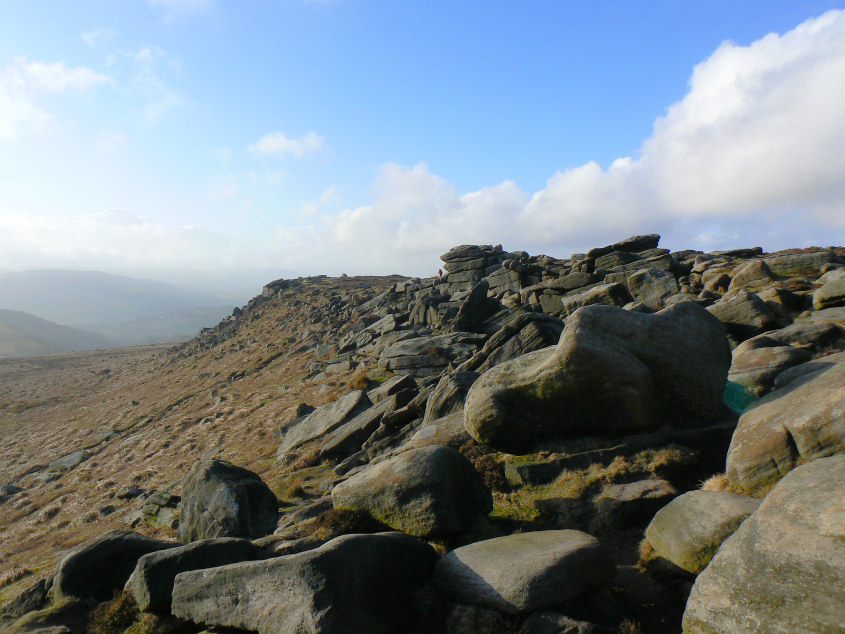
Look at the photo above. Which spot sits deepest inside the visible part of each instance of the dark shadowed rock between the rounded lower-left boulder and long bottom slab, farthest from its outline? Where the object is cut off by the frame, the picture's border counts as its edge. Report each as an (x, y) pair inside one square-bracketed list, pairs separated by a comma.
[(151, 583)]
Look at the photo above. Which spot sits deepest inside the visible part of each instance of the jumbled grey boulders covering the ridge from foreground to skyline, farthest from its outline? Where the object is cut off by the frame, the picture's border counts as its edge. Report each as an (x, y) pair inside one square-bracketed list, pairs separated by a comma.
[(518, 425)]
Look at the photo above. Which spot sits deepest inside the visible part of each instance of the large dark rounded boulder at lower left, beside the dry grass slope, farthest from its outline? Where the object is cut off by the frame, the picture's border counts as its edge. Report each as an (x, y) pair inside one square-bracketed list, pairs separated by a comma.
[(98, 567)]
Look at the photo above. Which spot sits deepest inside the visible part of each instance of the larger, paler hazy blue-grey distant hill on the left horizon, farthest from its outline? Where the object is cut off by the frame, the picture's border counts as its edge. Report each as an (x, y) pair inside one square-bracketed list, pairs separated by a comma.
[(126, 310)]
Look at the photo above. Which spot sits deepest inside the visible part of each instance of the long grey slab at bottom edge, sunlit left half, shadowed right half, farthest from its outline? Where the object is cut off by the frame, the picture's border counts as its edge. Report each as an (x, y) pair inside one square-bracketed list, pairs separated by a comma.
[(352, 584)]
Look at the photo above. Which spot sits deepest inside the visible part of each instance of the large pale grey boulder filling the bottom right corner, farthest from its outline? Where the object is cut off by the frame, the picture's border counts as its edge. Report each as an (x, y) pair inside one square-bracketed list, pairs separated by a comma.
[(783, 570)]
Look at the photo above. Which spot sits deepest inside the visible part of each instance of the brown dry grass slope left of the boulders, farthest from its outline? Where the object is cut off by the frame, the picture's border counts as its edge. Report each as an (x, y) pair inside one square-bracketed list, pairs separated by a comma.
[(161, 407)]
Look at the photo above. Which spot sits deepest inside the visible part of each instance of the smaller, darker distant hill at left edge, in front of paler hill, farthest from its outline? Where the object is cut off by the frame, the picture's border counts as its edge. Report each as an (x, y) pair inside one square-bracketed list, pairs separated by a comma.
[(25, 335)]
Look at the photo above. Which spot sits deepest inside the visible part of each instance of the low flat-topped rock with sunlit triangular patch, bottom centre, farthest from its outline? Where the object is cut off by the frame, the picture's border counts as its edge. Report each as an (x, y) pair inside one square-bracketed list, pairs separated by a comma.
[(524, 572)]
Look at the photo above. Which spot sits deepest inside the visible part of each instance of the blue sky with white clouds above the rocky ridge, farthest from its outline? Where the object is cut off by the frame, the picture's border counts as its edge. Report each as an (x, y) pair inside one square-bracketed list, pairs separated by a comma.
[(370, 136)]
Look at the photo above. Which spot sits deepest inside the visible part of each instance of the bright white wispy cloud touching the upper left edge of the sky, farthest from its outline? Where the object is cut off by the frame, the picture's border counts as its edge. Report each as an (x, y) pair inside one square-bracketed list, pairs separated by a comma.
[(23, 81)]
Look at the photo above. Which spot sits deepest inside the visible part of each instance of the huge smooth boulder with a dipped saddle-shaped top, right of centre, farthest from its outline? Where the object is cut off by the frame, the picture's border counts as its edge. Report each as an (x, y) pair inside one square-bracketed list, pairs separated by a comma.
[(613, 372)]
